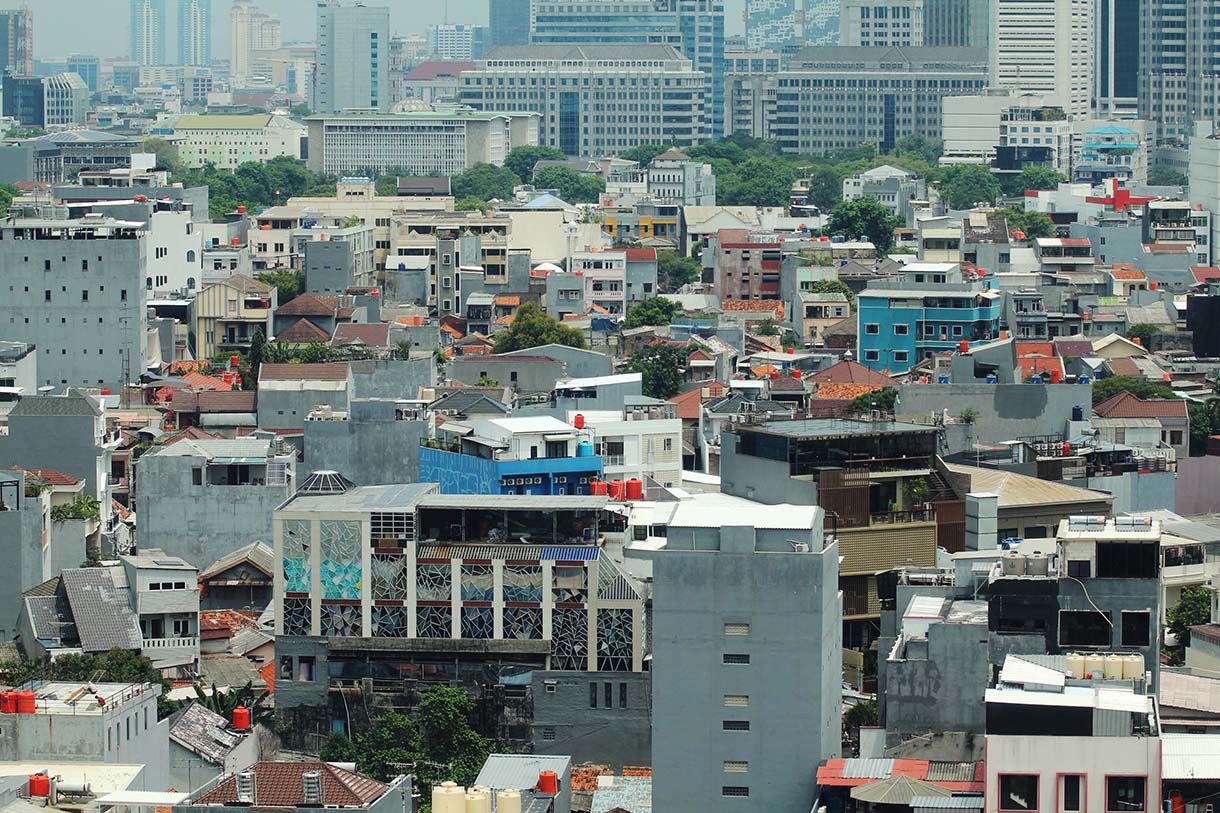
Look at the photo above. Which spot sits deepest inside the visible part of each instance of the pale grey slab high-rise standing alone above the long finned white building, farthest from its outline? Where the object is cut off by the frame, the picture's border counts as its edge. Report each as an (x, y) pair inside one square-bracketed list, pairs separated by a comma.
[(353, 58)]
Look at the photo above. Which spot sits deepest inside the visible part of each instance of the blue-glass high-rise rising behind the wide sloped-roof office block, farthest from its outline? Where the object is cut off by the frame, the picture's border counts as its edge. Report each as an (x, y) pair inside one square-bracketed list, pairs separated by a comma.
[(695, 27)]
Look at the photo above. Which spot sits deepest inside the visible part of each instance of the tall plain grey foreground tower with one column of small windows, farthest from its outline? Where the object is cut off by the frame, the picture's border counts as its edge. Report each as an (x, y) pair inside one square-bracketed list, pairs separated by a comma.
[(747, 660)]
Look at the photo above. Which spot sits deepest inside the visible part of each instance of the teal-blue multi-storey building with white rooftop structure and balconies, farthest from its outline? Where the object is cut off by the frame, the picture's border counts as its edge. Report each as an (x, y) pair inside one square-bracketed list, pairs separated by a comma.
[(930, 309)]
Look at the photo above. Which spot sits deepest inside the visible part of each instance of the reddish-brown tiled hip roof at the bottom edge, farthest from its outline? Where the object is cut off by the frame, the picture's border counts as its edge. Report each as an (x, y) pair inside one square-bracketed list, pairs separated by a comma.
[(279, 784)]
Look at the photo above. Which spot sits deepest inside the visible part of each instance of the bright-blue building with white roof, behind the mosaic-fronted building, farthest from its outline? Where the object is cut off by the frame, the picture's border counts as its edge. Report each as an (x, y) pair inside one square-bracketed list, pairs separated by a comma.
[(511, 456)]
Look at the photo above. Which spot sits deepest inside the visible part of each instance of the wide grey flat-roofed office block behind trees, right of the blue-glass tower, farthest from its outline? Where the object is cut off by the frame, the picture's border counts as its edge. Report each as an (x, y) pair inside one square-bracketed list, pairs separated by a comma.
[(878, 96)]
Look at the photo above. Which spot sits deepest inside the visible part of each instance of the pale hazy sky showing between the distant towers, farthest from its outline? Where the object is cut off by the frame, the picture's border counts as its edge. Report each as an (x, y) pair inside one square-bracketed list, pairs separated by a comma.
[(63, 27)]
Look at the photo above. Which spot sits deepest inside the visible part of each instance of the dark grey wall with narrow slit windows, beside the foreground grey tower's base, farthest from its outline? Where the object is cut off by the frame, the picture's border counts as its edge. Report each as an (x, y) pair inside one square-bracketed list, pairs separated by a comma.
[(615, 737)]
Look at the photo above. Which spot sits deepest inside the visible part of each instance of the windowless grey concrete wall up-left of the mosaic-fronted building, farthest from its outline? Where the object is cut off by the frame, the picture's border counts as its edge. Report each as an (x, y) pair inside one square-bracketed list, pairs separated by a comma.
[(201, 523)]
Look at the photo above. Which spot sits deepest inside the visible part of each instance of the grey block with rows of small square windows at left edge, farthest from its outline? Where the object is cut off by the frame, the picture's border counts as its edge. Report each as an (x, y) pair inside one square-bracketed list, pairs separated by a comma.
[(76, 290)]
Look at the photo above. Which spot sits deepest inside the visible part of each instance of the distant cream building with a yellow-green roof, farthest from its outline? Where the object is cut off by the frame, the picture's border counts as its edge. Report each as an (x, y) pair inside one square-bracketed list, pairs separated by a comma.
[(228, 142)]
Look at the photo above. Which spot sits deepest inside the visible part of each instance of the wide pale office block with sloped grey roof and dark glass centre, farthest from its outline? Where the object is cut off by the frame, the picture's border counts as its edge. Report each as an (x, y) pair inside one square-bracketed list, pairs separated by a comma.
[(609, 119)]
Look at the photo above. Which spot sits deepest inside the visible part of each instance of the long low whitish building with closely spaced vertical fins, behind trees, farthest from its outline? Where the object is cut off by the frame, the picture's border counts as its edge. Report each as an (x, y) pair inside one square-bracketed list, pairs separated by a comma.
[(440, 142)]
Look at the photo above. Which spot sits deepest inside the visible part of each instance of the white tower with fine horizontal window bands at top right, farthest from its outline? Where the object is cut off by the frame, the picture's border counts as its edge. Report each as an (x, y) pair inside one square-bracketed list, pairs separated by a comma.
[(1045, 47)]
